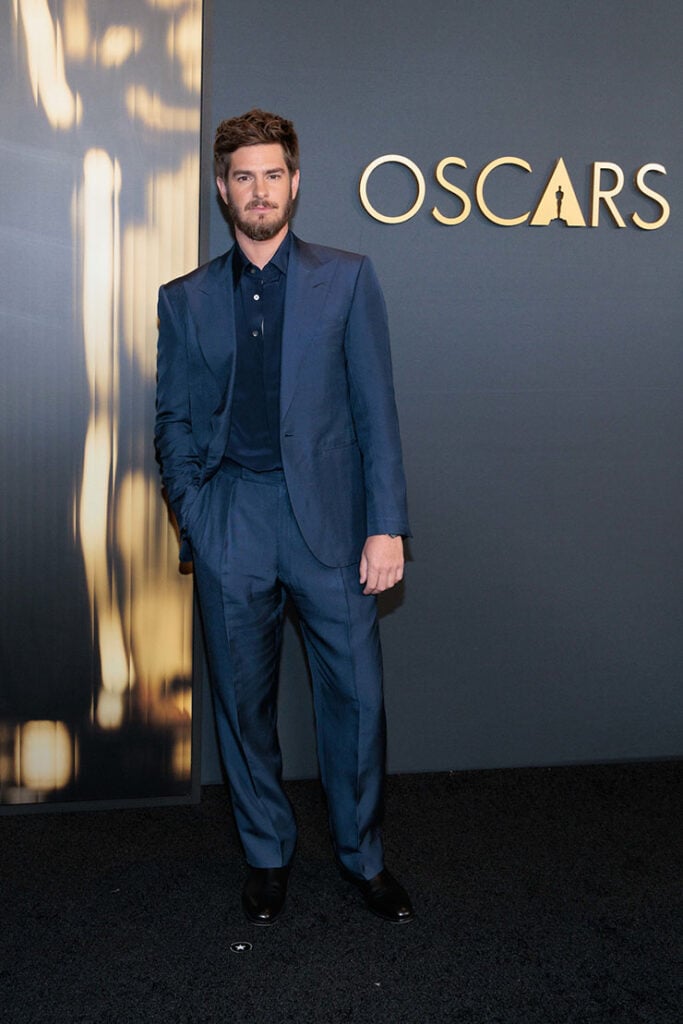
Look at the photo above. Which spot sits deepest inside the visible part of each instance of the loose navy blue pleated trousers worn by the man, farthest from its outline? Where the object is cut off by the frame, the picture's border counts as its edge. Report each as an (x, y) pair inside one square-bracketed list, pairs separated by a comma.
[(249, 554)]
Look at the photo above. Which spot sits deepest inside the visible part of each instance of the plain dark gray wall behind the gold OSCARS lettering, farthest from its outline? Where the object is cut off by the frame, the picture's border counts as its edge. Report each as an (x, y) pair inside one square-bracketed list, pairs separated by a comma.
[(539, 370)]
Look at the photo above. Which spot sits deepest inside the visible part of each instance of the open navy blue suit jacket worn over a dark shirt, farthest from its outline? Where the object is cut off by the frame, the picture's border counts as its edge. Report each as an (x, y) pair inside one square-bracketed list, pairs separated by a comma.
[(339, 430)]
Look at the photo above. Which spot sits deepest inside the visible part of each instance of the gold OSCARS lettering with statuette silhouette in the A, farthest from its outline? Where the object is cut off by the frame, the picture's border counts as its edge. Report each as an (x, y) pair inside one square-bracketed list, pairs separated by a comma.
[(558, 202)]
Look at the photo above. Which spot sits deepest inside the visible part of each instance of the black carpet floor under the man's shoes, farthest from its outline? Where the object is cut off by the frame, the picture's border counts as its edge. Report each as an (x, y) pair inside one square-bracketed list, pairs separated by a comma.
[(544, 897)]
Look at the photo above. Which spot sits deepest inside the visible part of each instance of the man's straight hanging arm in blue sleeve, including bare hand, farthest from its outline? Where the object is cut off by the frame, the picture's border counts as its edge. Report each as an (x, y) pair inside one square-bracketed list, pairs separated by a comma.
[(376, 420)]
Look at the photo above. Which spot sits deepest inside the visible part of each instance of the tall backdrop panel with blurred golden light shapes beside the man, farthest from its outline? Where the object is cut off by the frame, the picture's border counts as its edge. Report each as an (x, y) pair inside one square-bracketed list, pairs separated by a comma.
[(99, 158)]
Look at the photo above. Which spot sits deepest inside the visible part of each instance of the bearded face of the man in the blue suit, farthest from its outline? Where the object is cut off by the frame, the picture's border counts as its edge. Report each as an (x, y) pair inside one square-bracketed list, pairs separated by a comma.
[(260, 191)]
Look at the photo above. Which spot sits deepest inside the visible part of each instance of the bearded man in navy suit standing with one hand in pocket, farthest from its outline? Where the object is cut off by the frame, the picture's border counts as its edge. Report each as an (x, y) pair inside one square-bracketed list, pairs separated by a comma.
[(278, 438)]
